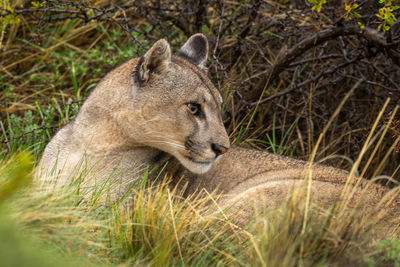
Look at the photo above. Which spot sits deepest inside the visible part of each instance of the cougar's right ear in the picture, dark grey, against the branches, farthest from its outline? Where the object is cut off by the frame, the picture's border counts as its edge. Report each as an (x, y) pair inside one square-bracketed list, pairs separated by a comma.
[(195, 50)]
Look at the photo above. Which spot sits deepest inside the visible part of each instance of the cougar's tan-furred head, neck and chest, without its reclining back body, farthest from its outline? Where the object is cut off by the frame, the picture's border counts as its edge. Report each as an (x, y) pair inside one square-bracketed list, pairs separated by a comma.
[(138, 115)]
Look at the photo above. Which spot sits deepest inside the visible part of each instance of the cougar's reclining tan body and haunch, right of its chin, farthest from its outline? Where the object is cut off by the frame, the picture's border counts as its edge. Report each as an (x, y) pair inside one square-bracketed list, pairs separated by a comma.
[(254, 180)]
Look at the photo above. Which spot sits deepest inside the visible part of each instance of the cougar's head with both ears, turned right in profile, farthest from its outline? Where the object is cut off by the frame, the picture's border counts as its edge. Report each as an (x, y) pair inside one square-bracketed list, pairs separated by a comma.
[(179, 107)]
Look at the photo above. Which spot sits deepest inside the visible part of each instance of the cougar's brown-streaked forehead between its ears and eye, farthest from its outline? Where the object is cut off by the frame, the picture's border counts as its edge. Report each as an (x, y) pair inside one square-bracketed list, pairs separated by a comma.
[(199, 80)]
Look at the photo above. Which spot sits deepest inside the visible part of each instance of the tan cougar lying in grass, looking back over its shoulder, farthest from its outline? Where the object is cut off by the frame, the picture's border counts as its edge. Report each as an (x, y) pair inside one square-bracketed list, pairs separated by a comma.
[(160, 112)]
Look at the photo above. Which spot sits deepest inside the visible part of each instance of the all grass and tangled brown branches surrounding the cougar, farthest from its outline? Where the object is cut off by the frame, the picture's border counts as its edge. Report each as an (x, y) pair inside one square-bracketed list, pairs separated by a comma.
[(282, 68)]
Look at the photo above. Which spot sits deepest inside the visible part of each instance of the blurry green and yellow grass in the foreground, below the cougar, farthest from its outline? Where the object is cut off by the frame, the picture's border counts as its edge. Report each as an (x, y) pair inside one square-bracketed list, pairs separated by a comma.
[(162, 228)]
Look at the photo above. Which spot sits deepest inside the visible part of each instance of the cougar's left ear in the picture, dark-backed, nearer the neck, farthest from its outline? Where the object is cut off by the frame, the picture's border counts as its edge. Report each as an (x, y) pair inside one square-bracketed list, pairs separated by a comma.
[(155, 60)]
